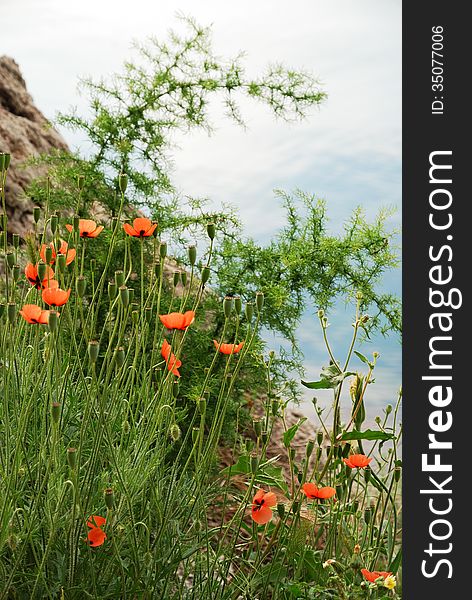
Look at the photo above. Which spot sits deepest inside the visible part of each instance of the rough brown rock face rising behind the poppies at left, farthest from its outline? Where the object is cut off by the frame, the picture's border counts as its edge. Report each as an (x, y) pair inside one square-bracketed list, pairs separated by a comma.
[(24, 132)]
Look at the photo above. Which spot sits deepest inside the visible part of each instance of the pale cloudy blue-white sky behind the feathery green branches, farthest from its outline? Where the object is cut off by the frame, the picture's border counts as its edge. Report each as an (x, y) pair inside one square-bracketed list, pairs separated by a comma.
[(348, 152)]
